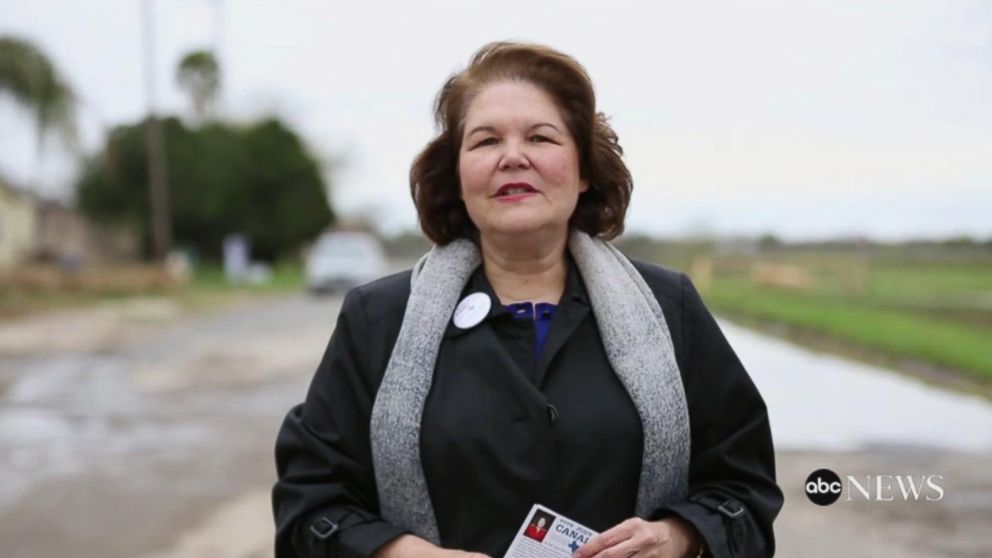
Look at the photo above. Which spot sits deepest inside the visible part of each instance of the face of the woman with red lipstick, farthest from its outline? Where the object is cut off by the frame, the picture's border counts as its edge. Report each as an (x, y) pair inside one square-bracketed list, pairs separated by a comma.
[(518, 164)]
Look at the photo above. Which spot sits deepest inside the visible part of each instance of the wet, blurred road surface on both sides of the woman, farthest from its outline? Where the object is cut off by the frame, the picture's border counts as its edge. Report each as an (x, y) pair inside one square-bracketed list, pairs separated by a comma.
[(137, 430)]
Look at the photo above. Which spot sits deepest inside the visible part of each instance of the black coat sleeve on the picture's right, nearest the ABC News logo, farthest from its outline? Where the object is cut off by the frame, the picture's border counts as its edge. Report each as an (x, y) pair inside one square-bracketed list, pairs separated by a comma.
[(733, 497)]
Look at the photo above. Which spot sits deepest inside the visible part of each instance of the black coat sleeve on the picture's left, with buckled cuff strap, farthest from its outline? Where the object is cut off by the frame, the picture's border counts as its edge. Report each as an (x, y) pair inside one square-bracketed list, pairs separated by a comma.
[(325, 501)]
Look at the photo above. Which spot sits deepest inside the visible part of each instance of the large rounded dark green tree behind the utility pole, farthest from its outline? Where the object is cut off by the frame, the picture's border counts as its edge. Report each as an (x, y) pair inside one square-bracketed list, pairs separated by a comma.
[(257, 179)]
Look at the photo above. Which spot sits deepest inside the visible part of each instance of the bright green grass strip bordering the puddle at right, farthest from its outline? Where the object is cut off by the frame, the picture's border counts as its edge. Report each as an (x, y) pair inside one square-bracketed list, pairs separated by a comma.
[(940, 314)]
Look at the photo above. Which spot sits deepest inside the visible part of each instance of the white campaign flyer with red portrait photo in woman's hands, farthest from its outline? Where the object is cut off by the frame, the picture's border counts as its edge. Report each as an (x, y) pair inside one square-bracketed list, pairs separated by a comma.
[(548, 534)]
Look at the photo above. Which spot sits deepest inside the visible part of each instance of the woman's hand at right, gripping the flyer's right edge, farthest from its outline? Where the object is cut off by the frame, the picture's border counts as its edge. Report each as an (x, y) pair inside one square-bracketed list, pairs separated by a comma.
[(672, 537)]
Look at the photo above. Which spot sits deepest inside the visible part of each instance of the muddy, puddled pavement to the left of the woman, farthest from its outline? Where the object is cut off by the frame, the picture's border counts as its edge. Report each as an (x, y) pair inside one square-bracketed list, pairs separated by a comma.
[(118, 451)]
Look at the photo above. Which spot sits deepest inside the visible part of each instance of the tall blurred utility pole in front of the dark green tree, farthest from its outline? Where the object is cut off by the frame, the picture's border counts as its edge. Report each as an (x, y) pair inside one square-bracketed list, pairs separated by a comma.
[(158, 180)]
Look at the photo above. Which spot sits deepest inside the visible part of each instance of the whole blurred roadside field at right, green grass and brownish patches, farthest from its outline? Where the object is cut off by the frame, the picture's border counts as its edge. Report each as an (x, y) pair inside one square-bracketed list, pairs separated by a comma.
[(923, 306)]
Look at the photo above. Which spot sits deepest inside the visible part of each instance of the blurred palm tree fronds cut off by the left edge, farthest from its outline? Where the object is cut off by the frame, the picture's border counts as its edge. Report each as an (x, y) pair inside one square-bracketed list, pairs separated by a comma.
[(32, 80)]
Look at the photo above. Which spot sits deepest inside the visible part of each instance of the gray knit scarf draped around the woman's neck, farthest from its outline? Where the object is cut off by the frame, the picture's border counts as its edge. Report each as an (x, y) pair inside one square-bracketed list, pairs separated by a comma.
[(638, 346)]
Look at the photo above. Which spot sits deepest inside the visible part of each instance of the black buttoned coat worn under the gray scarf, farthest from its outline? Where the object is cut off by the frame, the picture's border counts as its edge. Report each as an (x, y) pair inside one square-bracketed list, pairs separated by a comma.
[(501, 431)]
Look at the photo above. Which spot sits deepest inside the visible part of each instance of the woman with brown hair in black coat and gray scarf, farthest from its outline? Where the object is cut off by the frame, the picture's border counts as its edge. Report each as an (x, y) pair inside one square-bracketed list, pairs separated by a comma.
[(524, 360)]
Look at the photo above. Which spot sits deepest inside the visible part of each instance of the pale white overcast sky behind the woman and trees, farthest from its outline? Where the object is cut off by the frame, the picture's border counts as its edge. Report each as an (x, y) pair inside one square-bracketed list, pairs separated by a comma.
[(803, 119)]
